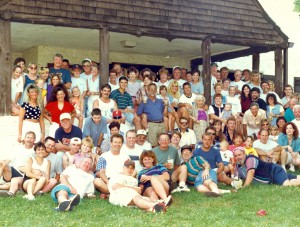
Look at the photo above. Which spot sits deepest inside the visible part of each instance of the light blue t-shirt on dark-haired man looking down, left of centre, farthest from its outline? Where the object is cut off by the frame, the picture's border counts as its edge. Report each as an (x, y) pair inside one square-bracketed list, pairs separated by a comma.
[(94, 130)]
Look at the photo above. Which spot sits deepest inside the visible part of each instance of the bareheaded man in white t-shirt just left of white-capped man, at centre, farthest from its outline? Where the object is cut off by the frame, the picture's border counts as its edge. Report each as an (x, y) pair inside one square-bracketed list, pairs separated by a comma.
[(130, 149)]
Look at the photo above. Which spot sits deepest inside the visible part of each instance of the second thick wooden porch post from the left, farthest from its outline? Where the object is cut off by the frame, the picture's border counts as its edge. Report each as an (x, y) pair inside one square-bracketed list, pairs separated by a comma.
[(104, 55)]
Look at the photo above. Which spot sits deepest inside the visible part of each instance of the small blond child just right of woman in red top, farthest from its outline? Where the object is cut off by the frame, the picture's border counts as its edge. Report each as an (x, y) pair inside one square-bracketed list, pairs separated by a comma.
[(77, 101)]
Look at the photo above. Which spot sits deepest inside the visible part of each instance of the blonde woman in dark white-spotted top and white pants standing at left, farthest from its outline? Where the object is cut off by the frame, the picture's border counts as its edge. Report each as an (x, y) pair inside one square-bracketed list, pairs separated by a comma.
[(30, 116)]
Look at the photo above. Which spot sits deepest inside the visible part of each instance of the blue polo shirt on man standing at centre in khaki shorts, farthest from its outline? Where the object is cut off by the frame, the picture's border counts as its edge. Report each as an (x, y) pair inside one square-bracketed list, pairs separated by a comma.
[(153, 109)]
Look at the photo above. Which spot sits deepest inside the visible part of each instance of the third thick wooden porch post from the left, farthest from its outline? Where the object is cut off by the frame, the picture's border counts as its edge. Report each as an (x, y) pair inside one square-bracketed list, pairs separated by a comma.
[(205, 49)]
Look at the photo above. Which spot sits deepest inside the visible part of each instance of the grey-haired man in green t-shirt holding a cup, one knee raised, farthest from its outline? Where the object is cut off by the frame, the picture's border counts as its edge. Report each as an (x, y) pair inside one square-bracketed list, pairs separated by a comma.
[(168, 156)]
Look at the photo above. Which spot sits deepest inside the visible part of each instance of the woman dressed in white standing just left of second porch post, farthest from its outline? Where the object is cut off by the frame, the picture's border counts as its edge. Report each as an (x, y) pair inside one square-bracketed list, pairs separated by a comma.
[(93, 88)]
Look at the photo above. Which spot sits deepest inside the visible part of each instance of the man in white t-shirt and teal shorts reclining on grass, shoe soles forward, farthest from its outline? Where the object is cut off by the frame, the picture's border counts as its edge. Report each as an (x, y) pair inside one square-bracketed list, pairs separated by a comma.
[(76, 182)]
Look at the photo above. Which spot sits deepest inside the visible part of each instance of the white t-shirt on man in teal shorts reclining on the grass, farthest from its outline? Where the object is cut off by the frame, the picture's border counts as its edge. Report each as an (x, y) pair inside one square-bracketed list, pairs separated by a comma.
[(80, 180)]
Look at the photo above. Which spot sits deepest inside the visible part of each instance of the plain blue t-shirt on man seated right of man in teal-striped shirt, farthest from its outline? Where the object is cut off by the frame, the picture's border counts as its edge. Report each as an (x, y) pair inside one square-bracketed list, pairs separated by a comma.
[(213, 156)]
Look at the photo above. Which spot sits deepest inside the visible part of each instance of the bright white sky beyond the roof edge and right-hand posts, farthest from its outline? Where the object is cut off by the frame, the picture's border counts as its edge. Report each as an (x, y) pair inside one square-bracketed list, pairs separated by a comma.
[(281, 11)]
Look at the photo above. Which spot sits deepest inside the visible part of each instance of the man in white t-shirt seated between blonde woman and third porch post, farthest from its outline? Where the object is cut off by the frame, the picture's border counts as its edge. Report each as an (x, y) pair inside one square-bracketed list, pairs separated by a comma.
[(186, 103)]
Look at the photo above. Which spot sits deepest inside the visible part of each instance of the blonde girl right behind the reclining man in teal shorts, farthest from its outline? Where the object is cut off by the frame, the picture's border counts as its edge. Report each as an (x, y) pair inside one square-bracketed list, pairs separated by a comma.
[(86, 150)]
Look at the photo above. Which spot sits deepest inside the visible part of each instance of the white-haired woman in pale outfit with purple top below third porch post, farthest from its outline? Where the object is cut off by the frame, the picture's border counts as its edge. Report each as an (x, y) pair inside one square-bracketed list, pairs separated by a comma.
[(199, 117)]
